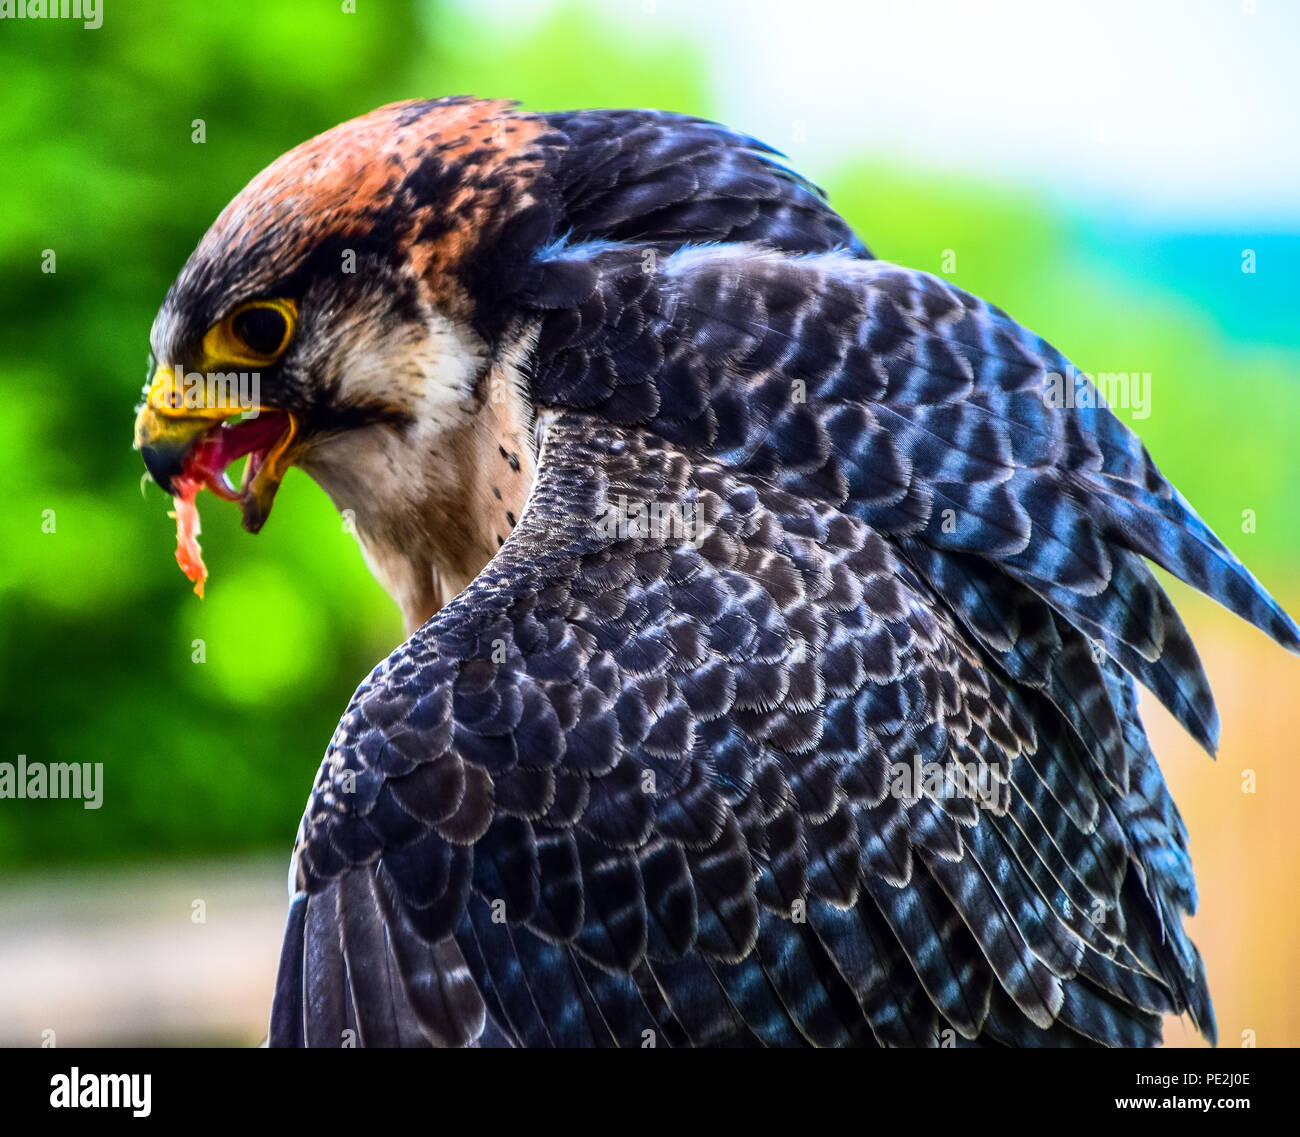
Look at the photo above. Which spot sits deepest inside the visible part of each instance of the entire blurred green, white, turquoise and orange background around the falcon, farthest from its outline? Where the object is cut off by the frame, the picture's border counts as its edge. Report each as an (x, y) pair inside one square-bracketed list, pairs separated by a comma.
[(1121, 177)]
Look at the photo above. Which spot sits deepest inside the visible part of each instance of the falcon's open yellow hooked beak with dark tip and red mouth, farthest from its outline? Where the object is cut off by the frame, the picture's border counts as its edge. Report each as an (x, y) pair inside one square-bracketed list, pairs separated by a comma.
[(197, 435)]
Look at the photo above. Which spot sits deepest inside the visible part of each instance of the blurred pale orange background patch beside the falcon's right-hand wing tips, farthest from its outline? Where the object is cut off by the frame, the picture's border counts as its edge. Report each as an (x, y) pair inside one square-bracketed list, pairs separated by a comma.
[(1246, 845)]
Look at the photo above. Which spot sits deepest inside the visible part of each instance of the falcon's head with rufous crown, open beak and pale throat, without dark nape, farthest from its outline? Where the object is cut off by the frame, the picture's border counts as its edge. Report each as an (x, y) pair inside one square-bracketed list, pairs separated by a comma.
[(340, 316)]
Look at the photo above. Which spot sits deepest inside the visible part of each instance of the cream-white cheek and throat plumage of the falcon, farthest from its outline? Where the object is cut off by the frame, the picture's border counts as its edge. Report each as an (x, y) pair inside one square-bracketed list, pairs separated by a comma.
[(432, 501)]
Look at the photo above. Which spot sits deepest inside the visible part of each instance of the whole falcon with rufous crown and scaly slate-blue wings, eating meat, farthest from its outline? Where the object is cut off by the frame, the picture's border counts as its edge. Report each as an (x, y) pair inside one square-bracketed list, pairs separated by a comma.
[(773, 632)]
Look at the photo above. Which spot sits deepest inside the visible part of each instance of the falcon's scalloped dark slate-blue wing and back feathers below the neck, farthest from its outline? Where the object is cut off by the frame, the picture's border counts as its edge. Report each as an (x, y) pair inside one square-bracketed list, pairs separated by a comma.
[(852, 760)]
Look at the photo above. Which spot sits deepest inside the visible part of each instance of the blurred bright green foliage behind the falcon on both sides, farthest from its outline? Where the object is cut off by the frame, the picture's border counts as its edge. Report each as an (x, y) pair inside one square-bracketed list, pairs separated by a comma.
[(98, 630)]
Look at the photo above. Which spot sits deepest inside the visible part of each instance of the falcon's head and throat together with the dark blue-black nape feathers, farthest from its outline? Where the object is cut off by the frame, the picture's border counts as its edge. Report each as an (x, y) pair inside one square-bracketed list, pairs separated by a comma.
[(354, 311)]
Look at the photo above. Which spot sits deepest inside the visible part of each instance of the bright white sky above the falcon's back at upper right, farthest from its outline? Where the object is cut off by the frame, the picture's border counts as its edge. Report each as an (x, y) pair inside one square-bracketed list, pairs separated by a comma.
[(1184, 111)]
